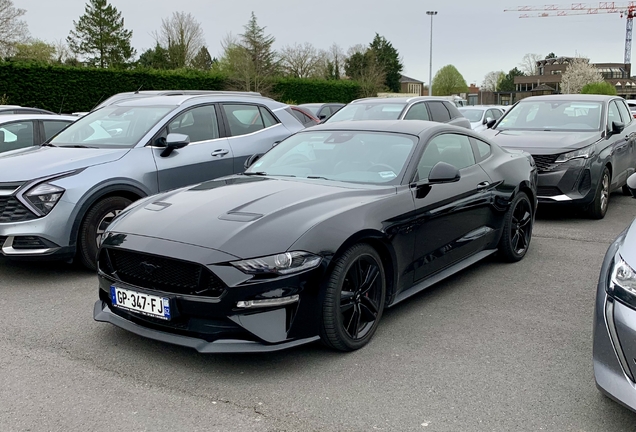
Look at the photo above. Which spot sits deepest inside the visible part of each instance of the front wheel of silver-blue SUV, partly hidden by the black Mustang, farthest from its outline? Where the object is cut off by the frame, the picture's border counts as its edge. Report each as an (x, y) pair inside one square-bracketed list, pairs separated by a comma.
[(95, 222)]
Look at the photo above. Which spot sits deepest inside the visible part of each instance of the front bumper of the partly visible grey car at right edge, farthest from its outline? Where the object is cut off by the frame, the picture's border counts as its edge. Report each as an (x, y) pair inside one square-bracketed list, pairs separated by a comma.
[(614, 340)]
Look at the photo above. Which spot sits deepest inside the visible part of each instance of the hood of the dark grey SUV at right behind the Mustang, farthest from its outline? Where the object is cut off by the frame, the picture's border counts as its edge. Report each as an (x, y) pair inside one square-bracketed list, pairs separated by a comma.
[(542, 142)]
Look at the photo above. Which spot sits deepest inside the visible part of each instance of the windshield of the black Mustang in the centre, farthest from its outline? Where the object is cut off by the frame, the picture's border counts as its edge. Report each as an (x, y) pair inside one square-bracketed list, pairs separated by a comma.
[(348, 156)]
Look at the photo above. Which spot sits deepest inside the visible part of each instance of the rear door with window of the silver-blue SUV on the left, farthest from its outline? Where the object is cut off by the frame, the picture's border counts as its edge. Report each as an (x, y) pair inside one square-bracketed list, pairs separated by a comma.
[(251, 129)]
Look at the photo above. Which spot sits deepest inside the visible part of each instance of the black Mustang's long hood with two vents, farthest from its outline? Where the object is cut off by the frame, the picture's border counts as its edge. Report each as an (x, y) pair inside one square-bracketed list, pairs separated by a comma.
[(244, 216)]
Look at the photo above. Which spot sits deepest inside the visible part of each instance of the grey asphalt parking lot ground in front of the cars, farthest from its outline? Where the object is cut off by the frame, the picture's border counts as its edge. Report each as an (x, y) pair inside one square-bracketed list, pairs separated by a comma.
[(496, 348)]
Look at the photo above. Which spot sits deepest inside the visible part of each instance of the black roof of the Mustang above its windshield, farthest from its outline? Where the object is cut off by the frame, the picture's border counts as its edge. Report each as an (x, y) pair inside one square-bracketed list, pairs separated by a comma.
[(412, 127)]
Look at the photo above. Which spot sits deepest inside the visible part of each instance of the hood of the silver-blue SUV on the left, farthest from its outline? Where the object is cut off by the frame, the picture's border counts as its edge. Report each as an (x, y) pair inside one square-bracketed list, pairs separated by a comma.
[(37, 162)]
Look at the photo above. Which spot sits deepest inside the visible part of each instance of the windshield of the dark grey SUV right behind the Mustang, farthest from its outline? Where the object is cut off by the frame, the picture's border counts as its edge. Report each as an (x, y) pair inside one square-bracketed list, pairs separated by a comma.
[(553, 115)]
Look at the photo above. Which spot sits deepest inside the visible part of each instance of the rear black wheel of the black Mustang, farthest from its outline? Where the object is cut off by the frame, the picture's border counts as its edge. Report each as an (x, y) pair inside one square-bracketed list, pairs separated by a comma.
[(517, 233)]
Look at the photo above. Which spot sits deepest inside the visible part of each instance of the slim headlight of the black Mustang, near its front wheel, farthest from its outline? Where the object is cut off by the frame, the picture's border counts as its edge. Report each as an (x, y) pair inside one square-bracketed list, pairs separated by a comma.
[(280, 264)]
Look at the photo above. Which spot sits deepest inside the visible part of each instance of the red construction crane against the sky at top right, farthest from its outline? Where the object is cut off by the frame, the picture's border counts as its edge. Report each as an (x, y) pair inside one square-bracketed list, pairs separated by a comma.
[(625, 9)]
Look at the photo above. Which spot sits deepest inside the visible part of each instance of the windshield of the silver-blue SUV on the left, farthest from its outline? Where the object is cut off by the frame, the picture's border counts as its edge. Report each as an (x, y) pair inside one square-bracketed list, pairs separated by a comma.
[(111, 127)]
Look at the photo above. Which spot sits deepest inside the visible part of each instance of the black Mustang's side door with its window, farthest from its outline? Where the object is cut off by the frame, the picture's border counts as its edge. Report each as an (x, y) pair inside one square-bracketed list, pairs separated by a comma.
[(451, 218)]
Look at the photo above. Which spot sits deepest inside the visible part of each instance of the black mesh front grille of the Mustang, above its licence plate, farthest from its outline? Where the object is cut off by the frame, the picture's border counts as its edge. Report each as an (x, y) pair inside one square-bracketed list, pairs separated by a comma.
[(160, 273)]
